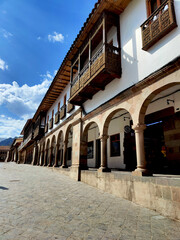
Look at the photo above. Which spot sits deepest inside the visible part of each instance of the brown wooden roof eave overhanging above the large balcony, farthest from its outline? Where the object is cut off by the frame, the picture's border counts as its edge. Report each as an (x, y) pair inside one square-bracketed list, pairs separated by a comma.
[(62, 78)]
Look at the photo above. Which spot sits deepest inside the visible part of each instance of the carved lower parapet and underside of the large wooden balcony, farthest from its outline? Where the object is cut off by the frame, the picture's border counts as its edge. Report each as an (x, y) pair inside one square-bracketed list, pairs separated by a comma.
[(104, 66)]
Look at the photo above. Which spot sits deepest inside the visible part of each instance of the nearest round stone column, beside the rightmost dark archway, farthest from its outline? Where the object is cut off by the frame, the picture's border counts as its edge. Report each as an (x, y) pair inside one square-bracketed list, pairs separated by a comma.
[(140, 153)]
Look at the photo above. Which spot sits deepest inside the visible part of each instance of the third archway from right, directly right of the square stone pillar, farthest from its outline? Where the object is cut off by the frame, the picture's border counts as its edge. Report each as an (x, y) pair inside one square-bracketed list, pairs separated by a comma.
[(90, 146)]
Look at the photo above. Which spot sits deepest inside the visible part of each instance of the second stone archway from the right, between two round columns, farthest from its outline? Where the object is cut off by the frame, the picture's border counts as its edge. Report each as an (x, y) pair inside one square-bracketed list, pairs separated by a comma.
[(120, 140)]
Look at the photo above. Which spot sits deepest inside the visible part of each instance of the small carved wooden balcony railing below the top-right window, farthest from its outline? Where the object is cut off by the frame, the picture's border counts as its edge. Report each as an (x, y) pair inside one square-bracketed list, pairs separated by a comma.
[(161, 22)]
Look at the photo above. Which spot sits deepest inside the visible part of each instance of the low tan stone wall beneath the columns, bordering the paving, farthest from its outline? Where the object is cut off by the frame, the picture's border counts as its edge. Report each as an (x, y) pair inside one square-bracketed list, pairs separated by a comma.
[(161, 194)]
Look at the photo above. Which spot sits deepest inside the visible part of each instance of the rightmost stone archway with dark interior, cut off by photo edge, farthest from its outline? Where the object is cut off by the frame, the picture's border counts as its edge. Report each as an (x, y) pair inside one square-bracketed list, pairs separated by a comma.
[(161, 119)]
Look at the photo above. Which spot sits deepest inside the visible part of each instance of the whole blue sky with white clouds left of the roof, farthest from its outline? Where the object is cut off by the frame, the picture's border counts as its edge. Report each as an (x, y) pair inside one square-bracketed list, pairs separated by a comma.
[(35, 36)]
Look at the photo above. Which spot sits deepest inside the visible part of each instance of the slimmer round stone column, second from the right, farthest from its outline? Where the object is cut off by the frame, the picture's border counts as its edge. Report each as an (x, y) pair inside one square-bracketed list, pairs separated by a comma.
[(103, 167)]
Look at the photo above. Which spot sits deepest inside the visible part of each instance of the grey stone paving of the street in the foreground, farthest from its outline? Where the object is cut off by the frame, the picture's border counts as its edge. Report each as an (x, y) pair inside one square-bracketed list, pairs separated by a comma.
[(39, 203)]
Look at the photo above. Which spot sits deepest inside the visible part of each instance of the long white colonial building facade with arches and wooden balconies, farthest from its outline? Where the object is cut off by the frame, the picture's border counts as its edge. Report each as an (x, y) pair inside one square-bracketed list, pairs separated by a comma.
[(114, 103)]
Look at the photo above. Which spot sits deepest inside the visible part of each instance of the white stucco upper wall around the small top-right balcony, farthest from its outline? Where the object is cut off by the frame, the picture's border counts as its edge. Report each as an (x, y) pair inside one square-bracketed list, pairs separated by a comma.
[(137, 63)]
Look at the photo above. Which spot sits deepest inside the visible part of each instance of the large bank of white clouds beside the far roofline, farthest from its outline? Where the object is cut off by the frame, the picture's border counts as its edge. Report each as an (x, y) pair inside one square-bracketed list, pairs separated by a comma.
[(24, 100)]
